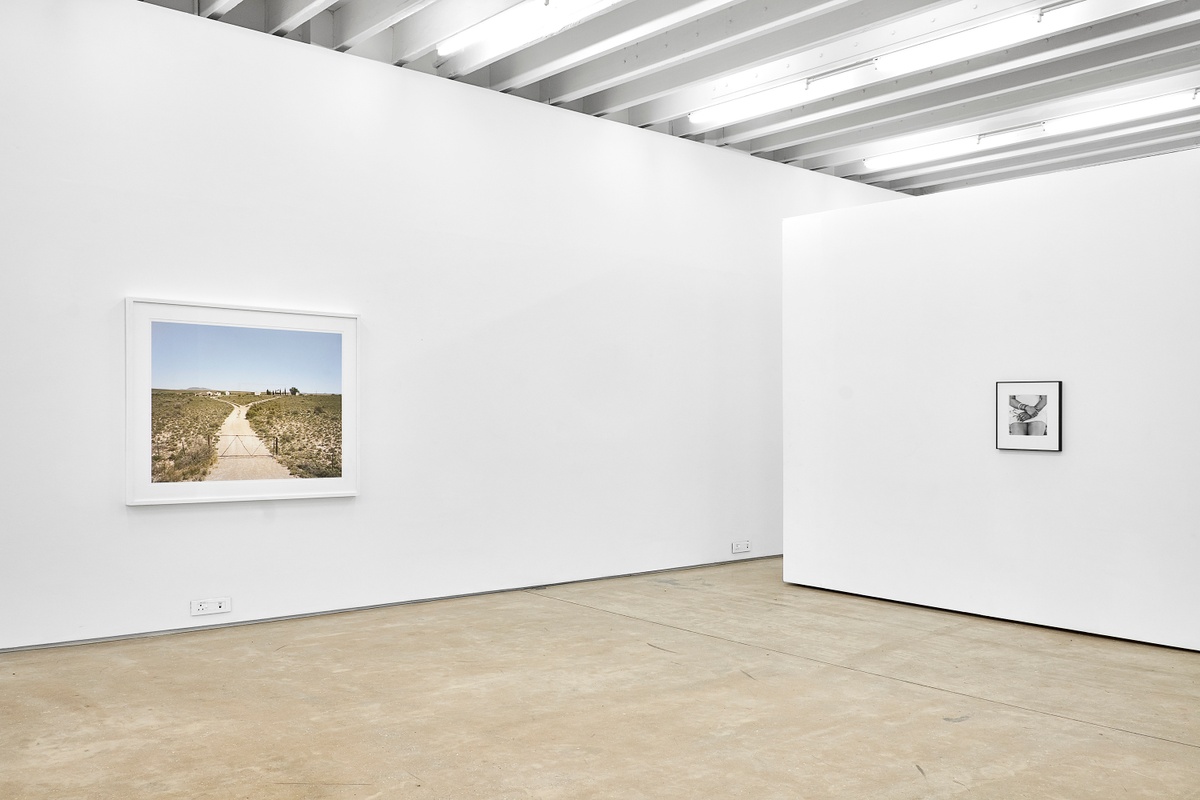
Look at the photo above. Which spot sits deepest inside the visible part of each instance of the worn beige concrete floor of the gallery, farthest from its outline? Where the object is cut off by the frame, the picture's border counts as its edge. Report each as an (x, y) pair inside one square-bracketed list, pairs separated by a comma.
[(710, 683)]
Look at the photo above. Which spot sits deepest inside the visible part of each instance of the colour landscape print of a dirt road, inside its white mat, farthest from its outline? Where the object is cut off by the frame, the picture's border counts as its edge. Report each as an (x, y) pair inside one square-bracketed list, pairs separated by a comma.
[(237, 404)]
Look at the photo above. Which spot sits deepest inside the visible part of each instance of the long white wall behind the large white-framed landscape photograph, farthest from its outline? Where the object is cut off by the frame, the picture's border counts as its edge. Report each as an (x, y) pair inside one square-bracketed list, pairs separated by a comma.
[(571, 346)]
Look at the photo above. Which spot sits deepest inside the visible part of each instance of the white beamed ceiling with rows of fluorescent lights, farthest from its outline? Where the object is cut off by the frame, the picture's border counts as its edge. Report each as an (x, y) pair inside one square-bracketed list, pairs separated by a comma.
[(823, 85)]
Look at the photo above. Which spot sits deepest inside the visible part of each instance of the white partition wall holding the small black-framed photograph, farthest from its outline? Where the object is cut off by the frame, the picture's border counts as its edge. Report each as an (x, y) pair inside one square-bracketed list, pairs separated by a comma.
[(898, 322)]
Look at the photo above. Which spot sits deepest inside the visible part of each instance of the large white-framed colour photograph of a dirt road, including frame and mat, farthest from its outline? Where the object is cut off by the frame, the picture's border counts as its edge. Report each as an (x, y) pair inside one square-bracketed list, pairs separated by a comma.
[(235, 404)]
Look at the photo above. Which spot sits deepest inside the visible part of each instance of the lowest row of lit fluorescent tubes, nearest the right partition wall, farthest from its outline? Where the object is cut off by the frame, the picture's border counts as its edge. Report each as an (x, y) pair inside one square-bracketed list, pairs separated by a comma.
[(1132, 112)]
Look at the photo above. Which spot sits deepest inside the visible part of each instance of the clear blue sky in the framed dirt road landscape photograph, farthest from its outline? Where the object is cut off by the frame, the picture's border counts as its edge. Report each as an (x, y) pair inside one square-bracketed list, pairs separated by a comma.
[(229, 358)]
